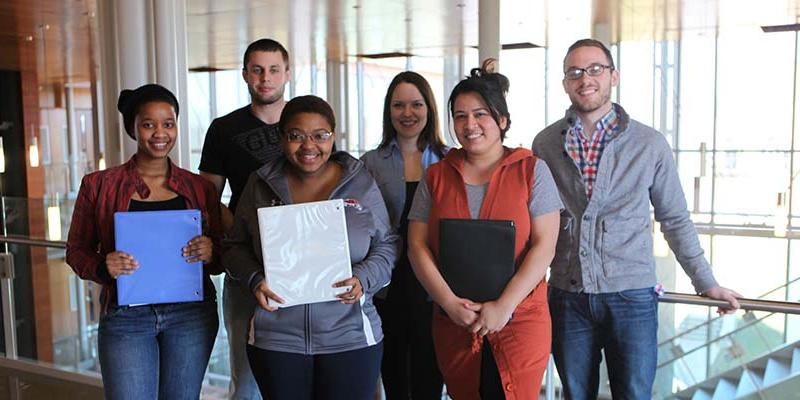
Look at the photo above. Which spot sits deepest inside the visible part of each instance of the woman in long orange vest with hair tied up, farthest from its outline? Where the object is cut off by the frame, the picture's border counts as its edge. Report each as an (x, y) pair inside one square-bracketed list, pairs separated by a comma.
[(482, 351)]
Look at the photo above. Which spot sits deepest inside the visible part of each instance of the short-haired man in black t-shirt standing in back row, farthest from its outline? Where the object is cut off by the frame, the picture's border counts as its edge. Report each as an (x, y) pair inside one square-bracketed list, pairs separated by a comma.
[(235, 146)]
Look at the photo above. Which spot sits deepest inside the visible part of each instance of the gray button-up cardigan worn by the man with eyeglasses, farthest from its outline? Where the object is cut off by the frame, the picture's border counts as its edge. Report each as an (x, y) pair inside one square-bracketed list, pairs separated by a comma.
[(605, 243)]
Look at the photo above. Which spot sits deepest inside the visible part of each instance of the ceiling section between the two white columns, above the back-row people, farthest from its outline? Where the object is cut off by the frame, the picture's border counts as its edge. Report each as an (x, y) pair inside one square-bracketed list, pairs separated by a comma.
[(219, 31)]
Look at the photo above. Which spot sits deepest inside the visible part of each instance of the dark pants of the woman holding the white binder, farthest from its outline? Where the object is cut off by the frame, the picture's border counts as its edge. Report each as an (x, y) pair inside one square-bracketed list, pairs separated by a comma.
[(349, 375)]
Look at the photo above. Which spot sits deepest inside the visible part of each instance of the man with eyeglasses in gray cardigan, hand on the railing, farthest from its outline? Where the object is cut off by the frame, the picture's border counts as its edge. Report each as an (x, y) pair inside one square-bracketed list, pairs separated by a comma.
[(609, 170)]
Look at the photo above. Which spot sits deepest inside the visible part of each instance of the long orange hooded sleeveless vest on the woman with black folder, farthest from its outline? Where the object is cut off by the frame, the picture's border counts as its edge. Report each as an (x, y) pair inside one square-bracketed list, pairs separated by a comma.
[(521, 349)]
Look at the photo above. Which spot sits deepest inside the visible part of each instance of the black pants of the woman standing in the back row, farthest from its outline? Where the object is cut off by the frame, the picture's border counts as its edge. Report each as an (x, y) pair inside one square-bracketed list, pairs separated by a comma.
[(409, 368)]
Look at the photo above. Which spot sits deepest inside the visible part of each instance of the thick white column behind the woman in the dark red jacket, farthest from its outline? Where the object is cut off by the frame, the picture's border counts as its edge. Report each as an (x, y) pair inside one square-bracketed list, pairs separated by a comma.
[(141, 42)]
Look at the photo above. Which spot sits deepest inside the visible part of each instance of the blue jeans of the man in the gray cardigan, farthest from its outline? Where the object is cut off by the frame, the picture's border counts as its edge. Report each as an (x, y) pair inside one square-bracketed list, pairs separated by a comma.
[(623, 325)]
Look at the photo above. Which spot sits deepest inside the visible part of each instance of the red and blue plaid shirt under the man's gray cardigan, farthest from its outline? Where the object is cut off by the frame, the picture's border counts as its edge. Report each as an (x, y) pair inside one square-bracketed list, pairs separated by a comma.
[(586, 152)]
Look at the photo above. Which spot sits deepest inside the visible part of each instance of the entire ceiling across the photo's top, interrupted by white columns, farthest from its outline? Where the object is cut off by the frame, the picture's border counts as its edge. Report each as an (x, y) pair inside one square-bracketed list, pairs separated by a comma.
[(57, 35)]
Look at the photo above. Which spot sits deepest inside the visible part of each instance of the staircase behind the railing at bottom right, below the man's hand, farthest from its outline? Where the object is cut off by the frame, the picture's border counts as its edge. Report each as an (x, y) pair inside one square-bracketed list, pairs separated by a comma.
[(750, 355)]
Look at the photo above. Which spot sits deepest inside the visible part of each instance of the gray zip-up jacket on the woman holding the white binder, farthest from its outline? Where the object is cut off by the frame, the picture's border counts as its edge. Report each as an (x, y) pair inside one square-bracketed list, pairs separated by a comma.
[(319, 328)]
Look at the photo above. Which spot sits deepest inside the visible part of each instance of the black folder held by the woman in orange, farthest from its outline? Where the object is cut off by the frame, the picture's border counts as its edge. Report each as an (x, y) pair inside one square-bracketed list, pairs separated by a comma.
[(476, 256)]
